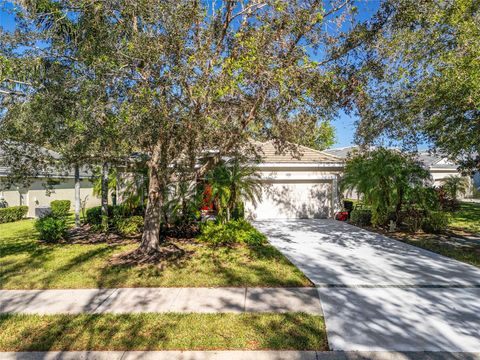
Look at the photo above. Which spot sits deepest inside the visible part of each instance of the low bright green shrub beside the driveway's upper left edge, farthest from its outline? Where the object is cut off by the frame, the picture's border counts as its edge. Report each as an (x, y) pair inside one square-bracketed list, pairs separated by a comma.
[(233, 232)]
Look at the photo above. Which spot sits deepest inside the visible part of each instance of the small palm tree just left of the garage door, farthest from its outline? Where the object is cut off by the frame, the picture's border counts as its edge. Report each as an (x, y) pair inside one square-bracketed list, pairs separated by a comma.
[(233, 182)]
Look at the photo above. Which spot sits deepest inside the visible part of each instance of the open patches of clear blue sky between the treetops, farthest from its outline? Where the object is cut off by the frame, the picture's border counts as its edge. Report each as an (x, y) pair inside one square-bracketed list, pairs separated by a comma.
[(344, 124)]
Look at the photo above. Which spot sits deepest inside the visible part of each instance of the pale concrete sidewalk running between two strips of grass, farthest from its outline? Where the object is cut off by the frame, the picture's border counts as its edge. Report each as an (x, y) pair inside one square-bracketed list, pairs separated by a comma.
[(182, 300)]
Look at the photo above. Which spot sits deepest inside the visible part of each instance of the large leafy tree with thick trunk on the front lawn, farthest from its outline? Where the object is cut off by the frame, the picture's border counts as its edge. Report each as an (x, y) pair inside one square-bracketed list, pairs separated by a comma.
[(178, 78)]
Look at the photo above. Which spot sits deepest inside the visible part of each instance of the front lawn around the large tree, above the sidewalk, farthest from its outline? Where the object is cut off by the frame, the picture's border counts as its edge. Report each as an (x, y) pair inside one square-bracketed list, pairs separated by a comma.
[(26, 263)]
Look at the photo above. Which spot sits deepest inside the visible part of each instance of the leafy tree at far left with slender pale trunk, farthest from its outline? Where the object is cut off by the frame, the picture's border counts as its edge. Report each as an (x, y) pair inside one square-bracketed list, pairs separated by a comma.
[(56, 94)]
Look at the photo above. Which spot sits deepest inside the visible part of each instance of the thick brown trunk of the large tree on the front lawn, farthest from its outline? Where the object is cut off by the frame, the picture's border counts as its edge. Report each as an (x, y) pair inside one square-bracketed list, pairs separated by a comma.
[(151, 226)]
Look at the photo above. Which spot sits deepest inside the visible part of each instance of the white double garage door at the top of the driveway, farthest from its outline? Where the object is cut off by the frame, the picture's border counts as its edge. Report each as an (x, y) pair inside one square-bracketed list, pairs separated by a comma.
[(292, 200)]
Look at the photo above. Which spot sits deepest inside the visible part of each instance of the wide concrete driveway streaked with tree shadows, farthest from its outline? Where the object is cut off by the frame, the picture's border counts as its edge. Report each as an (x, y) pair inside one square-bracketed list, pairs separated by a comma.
[(381, 294)]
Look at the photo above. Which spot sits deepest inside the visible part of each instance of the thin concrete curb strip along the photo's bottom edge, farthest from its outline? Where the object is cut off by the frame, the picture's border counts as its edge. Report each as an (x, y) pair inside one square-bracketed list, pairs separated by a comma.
[(236, 355)]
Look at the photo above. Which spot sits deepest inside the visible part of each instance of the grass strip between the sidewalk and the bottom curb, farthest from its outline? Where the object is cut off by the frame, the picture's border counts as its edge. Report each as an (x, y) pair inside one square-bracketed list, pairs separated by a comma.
[(290, 331)]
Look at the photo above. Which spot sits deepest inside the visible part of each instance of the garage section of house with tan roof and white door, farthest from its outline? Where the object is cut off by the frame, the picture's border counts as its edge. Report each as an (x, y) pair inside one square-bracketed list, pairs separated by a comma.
[(303, 187)]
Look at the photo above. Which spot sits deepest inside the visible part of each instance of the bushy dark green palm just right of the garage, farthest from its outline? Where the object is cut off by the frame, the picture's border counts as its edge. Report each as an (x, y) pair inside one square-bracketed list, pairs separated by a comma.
[(385, 178)]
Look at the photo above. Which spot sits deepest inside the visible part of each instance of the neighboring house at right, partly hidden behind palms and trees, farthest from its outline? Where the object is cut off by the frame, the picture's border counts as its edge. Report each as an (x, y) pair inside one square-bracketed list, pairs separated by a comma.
[(440, 167)]
